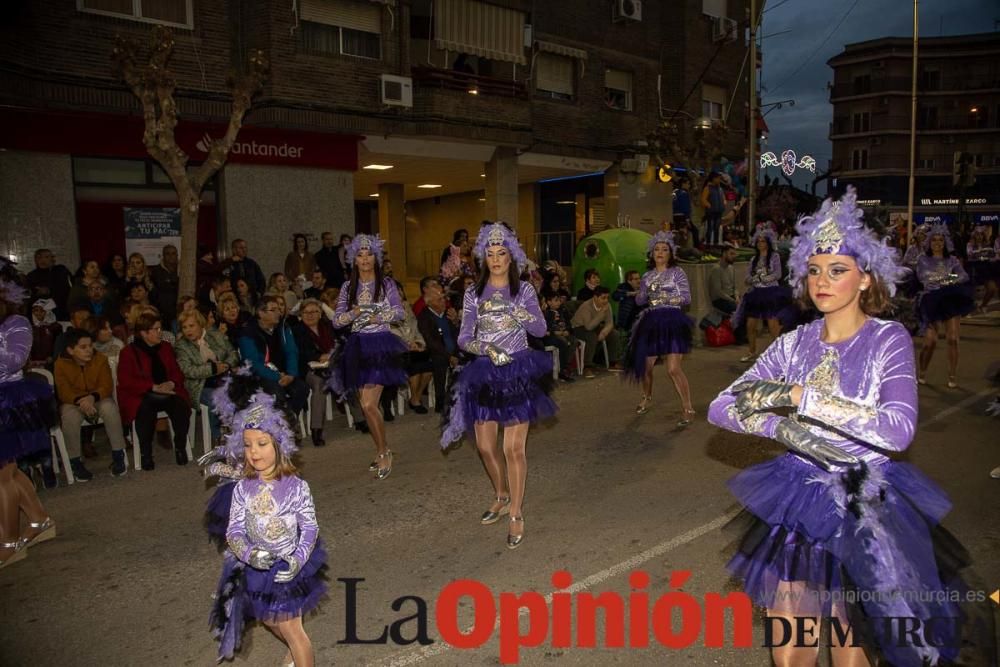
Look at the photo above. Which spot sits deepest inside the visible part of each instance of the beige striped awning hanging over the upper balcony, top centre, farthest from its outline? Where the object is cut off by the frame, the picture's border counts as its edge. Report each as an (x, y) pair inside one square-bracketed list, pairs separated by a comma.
[(479, 29)]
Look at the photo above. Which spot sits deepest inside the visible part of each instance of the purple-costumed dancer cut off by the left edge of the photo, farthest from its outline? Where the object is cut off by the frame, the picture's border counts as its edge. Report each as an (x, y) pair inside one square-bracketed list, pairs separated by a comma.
[(26, 411)]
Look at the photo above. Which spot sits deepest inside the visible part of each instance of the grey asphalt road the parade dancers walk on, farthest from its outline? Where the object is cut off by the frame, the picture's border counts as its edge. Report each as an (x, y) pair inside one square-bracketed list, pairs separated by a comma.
[(129, 579)]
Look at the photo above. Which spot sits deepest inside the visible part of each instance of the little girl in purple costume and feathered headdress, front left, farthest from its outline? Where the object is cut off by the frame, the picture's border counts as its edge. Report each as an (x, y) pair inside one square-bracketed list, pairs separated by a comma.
[(274, 568)]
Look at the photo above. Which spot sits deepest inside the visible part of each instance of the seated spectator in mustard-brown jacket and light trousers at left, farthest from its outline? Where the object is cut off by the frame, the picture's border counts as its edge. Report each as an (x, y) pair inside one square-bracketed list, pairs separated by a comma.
[(86, 393)]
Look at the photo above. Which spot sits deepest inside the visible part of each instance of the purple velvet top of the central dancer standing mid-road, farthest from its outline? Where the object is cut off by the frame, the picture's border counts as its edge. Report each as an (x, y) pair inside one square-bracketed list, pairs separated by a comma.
[(490, 319)]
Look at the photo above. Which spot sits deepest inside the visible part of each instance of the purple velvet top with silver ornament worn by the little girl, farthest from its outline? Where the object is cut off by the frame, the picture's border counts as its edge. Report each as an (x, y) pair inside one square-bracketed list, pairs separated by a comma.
[(276, 516)]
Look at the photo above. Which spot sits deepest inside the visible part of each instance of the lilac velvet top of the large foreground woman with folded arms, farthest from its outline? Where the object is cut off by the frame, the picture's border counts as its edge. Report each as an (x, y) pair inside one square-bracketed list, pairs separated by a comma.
[(859, 394)]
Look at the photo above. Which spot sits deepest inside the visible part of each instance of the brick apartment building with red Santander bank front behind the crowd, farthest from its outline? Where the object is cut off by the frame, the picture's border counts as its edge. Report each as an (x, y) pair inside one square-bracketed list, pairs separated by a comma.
[(406, 117)]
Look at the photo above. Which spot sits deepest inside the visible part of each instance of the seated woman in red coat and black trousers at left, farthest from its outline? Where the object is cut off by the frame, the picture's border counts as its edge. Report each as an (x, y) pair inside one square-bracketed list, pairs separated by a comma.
[(150, 382)]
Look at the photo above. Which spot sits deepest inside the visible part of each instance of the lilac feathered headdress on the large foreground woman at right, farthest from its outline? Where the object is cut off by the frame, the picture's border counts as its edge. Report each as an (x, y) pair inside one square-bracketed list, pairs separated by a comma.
[(837, 228)]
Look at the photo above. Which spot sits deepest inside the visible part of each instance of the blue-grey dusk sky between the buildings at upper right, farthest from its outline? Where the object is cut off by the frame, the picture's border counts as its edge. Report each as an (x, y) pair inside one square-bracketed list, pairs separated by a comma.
[(795, 66)]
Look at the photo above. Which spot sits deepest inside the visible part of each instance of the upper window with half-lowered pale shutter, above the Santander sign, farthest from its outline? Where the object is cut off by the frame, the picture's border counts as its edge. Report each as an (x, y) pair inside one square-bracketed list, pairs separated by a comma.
[(341, 27)]
